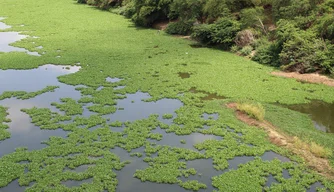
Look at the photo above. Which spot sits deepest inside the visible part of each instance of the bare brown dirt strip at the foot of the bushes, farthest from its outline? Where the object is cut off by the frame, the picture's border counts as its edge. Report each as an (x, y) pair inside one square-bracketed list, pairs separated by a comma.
[(310, 78)]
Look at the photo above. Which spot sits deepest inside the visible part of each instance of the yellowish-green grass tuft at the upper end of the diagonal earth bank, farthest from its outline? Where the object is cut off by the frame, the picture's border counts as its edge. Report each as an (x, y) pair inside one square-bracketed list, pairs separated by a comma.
[(255, 110)]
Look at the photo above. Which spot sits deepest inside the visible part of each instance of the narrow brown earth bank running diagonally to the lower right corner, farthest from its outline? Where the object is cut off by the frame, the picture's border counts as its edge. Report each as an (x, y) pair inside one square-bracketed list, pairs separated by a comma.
[(321, 165)]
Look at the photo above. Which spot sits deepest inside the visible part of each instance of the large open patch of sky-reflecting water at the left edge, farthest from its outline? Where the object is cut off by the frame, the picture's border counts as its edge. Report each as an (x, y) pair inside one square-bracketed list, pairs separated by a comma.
[(23, 132)]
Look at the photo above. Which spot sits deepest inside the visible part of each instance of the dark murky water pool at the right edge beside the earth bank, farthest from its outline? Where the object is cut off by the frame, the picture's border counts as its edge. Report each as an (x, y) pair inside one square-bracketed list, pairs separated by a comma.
[(321, 113)]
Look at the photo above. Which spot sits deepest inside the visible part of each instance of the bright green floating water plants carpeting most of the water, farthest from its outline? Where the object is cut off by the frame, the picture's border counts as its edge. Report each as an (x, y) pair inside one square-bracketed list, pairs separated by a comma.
[(107, 45)]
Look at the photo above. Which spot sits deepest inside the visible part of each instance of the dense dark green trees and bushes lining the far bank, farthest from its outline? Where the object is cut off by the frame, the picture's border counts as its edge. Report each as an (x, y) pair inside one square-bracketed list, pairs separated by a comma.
[(296, 35)]
